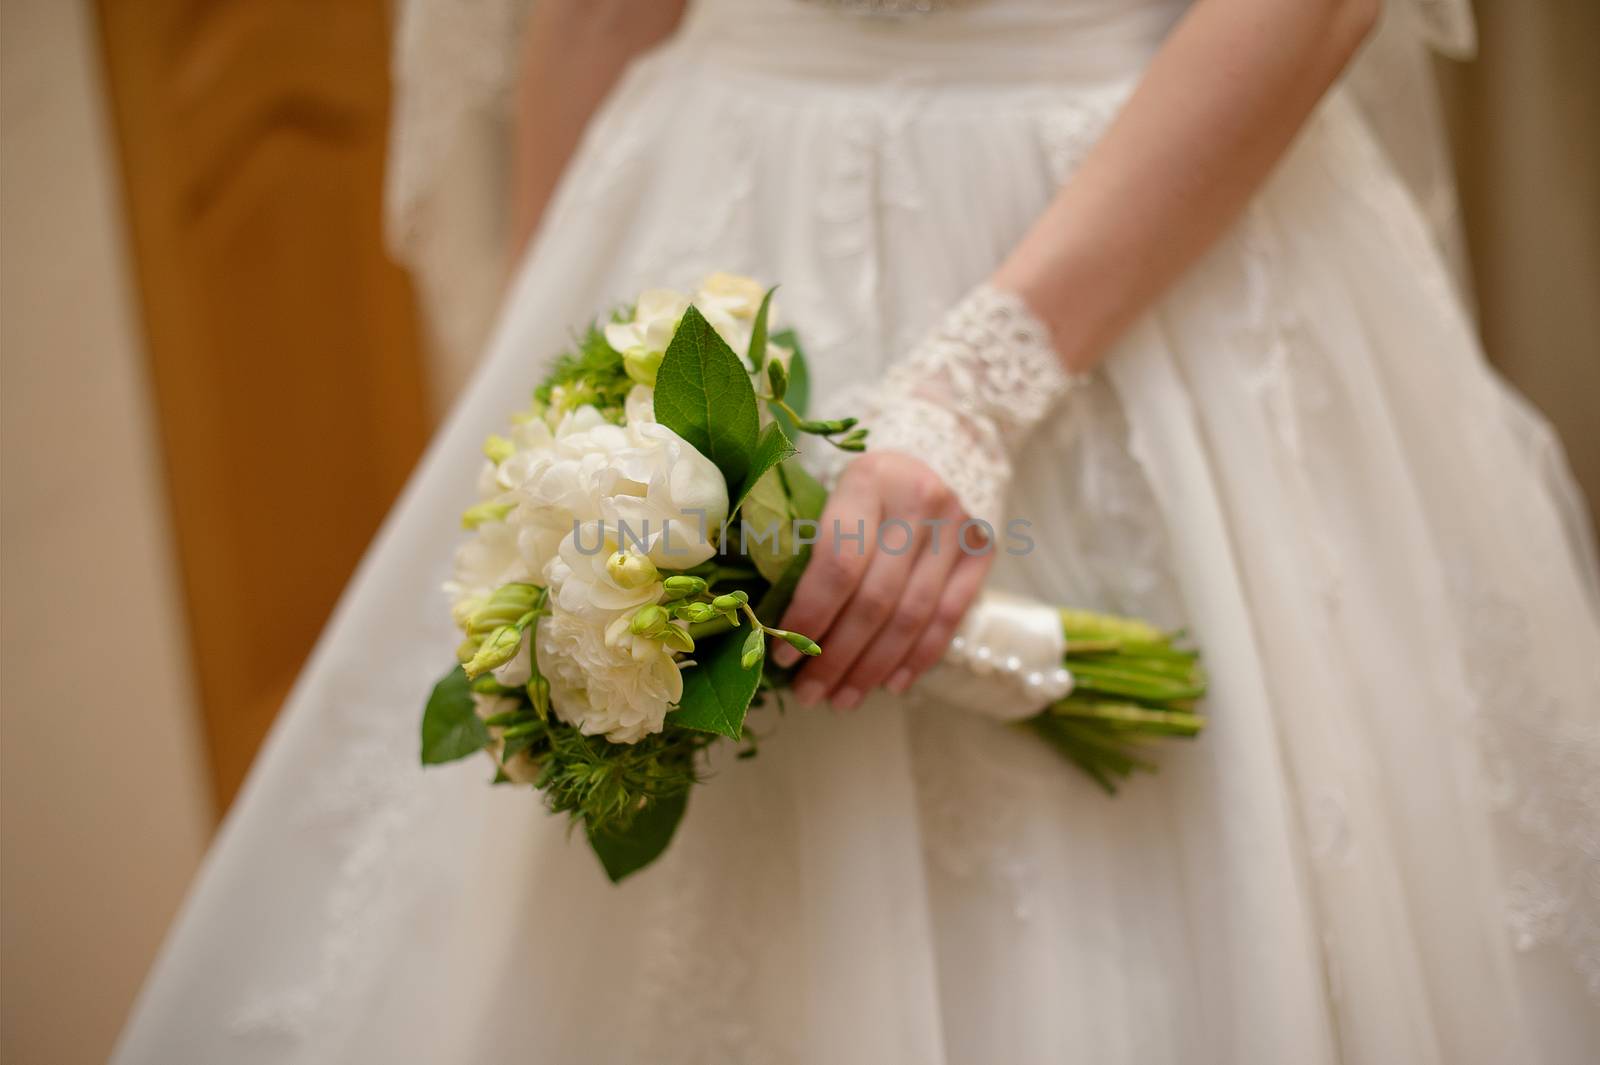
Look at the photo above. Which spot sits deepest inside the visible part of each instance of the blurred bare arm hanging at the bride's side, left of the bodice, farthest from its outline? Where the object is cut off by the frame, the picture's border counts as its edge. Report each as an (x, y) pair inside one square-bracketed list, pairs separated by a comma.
[(572, 55)]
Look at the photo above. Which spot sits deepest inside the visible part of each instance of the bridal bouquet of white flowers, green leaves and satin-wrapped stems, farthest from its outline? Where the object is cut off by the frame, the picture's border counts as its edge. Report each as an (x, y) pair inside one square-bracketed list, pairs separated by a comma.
[(638, 536)]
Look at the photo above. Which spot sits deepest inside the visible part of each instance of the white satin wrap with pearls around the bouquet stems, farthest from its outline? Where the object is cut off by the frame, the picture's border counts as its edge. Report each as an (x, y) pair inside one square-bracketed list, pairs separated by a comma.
[(1006, 661)]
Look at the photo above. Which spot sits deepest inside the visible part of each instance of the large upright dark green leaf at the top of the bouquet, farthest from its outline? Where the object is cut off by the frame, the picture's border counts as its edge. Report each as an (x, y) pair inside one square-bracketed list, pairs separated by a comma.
[(705, 396)]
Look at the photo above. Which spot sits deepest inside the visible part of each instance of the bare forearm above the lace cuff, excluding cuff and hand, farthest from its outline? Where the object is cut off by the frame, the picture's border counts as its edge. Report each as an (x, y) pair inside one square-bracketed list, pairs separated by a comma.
[(1215, 111)]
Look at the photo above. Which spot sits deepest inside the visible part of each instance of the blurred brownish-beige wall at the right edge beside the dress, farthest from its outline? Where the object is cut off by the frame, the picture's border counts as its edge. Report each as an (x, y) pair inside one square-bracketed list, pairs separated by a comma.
[(1526, 127)]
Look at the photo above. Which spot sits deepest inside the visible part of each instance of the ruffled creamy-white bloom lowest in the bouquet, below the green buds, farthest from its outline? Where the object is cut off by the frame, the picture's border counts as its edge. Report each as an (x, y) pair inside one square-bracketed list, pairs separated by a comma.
[(620, 688)]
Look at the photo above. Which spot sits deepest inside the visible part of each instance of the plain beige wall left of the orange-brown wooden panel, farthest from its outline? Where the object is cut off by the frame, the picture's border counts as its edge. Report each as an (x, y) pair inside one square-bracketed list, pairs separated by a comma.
[(103, 813)]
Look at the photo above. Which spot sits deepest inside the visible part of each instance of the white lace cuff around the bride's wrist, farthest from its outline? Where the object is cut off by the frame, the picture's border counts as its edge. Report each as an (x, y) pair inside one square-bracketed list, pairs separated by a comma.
[(967, 397)]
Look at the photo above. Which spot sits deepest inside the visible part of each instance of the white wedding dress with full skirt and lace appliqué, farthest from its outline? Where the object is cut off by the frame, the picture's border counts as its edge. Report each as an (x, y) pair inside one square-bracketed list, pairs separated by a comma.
[(1386, 848)]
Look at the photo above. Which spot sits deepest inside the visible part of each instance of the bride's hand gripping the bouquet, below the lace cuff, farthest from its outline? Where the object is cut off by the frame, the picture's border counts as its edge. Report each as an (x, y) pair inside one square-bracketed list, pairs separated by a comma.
[(889, 581)]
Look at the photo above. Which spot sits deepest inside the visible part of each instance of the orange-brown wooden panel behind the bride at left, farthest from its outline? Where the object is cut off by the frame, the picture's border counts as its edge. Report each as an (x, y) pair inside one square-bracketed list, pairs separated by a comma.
[(282, 343)]
